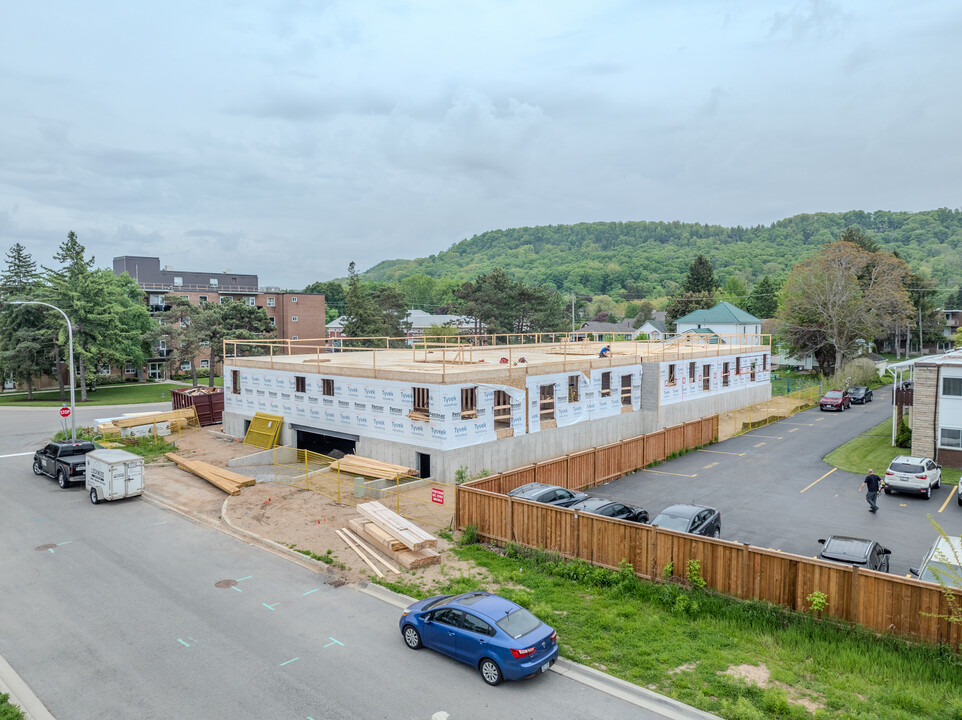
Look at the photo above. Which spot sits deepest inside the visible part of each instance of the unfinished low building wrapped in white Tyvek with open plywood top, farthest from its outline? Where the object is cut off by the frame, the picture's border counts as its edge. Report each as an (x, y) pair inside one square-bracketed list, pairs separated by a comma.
[(492, 403)]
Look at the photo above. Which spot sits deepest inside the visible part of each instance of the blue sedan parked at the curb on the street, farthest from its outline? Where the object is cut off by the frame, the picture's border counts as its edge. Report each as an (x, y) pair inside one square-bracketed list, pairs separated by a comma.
[(489, 632)]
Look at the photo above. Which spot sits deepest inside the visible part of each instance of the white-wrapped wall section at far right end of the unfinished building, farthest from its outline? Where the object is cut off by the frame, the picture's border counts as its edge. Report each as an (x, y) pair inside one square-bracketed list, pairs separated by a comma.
[(678, 383)]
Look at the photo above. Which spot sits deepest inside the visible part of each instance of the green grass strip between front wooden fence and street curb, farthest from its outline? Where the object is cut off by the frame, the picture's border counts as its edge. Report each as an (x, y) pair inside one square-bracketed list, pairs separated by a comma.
[(688, 644)]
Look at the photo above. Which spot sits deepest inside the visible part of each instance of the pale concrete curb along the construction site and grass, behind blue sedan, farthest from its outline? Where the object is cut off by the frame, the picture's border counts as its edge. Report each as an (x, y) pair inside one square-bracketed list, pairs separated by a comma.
[(633, 694)]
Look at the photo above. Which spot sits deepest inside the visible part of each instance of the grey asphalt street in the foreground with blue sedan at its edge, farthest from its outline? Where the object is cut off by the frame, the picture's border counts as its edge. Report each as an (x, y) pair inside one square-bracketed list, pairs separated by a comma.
[(112, 611)]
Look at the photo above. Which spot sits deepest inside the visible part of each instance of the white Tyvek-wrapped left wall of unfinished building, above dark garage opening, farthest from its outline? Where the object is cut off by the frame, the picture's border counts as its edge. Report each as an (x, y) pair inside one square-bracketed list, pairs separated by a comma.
[(374, 408)]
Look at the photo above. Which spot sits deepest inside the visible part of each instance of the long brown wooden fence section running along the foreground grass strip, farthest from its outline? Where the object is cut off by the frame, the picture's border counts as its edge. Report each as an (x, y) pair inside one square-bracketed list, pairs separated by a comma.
[(881, 602)]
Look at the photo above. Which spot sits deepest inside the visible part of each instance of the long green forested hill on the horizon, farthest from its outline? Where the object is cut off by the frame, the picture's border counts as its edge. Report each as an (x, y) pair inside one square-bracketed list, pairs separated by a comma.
[(650, 259)]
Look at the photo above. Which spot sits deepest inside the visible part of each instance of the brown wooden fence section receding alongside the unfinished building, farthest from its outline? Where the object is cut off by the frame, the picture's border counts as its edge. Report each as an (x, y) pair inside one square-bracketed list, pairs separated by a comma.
[(596, 466)]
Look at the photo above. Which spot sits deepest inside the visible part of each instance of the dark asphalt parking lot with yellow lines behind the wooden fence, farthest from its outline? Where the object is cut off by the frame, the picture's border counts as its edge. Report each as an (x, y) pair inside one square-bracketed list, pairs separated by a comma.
[(775, 491)]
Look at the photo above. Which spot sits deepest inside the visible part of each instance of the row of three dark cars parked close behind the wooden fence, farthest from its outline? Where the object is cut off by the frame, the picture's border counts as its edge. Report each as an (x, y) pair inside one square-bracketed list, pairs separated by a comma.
[(696, 519)]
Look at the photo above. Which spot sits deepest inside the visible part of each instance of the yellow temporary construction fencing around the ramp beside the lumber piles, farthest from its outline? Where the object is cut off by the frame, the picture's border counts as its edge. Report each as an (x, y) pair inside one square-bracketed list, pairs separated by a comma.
[(423, 501)]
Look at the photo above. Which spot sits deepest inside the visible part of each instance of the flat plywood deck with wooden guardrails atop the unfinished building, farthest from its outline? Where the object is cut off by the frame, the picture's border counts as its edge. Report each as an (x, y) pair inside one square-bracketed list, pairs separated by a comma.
[(468, 363)]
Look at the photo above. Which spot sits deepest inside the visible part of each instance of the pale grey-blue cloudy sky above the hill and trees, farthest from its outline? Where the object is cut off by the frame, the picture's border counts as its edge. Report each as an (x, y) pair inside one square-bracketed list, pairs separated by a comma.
[(288, 138)]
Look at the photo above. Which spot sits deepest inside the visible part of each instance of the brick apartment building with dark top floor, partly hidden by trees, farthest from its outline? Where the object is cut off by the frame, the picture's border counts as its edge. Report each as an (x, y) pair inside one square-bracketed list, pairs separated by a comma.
[(296, 315)]
